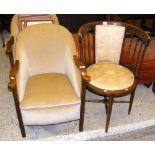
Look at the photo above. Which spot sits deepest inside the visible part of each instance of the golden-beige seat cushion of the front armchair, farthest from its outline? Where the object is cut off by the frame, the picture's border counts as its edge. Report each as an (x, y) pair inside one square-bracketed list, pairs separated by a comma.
[(48, 90)]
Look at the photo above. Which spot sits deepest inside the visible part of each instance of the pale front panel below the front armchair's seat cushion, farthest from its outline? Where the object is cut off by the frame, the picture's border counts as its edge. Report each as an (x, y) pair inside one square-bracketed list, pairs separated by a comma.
[(53, 115)]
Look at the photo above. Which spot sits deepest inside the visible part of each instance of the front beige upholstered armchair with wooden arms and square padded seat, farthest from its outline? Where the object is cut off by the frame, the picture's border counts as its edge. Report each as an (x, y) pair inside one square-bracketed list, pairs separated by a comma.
[(45, 81)]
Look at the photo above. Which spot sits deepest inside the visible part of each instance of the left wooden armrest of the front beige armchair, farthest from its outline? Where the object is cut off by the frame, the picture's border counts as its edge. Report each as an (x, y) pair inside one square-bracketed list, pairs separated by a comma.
[(12, 76)]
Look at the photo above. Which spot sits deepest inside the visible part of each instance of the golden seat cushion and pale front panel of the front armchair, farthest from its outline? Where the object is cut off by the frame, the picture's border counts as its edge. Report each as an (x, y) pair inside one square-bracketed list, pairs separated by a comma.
[(49, 98)]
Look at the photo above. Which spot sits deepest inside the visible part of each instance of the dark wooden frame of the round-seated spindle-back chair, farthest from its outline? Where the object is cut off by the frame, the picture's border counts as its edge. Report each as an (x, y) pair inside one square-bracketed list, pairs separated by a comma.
[(87, 56)]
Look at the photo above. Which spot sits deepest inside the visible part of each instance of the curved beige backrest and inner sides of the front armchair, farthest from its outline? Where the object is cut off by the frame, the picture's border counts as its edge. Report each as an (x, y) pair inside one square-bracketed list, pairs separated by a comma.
[(46, 48)]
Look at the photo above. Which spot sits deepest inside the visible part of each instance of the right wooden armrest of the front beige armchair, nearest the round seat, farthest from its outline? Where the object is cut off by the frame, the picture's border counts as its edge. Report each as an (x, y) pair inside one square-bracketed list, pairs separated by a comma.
[(82, 69)]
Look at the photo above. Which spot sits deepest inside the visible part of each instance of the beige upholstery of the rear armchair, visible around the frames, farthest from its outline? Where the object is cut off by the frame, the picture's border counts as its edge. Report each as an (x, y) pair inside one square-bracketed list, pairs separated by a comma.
[(14, 28)]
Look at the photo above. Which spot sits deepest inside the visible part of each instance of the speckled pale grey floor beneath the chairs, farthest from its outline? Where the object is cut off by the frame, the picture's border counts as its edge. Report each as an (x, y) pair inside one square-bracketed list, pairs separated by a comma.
[(142, 115)]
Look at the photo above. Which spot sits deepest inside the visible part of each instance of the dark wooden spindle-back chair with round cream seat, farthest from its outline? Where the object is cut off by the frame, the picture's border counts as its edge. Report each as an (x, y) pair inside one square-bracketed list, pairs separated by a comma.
[(113, 53)]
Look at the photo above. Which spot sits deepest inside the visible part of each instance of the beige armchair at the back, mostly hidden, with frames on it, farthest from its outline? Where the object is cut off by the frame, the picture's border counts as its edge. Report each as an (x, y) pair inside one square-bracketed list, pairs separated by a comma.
[(19, 22)]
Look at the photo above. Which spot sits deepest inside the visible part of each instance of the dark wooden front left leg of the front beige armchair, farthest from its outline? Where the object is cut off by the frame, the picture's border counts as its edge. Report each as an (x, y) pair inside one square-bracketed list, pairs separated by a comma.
[(22, 129)]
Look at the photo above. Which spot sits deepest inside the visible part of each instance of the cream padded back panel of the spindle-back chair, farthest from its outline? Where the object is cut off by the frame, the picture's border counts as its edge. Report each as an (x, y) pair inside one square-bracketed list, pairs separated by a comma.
[(108, 43)]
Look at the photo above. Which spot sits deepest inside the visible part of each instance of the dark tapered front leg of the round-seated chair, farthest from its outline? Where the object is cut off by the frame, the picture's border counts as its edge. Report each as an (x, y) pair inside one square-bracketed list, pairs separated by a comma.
[(110, 104)]
